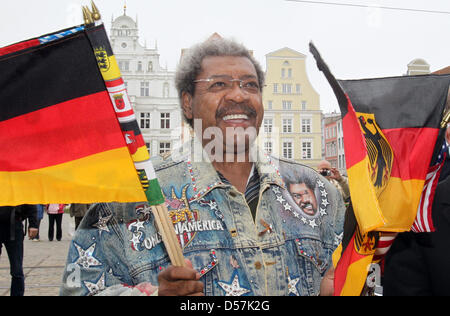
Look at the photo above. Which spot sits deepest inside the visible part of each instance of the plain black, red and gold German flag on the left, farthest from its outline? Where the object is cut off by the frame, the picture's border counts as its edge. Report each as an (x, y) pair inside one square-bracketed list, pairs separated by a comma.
[(60, 139)]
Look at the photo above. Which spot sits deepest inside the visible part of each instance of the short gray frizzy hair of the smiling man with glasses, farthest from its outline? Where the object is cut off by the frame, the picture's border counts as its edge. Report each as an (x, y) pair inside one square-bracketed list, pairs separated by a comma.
[(191, 63)]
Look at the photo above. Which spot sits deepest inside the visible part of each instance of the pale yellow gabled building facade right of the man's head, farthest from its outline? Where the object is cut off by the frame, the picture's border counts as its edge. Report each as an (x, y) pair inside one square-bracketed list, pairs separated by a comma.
[(292, 126)]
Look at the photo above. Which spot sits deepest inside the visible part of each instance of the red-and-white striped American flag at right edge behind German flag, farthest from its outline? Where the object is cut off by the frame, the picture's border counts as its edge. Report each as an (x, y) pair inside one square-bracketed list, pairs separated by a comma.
[(424, 222)]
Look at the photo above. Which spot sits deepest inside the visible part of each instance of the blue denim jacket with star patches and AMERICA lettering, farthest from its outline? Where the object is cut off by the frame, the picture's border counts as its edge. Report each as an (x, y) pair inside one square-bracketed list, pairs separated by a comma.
[(284, 251)]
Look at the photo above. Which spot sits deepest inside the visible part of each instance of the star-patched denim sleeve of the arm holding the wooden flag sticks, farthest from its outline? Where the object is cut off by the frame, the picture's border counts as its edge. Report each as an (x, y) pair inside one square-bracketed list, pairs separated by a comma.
[(96, 262)]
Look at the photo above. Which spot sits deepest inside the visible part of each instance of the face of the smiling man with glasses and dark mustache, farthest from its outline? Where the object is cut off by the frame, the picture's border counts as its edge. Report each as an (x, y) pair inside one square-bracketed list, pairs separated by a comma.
[(230, 109)]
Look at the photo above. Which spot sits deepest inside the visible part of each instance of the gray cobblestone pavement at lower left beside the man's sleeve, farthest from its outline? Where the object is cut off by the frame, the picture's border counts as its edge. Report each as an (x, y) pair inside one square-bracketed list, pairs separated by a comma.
[(43, 262)]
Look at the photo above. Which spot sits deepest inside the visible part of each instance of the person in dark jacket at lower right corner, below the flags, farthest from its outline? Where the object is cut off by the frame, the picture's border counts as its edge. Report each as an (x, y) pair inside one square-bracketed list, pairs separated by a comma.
[(418, 263)]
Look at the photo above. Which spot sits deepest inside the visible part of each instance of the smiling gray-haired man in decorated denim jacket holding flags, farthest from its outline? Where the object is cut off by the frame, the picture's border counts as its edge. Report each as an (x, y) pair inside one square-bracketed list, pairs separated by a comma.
[(238, 224)]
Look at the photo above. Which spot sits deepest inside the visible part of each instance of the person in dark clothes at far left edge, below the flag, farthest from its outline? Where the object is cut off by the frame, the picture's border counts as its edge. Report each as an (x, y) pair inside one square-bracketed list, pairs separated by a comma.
[(12, 235)]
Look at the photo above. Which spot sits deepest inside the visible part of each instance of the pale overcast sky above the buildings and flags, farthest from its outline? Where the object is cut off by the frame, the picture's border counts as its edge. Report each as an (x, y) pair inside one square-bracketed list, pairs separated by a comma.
[(355, 42)]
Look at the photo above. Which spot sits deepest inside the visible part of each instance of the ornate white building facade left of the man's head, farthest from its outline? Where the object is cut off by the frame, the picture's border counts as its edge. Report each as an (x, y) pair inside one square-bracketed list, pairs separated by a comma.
[(150, 86)]
